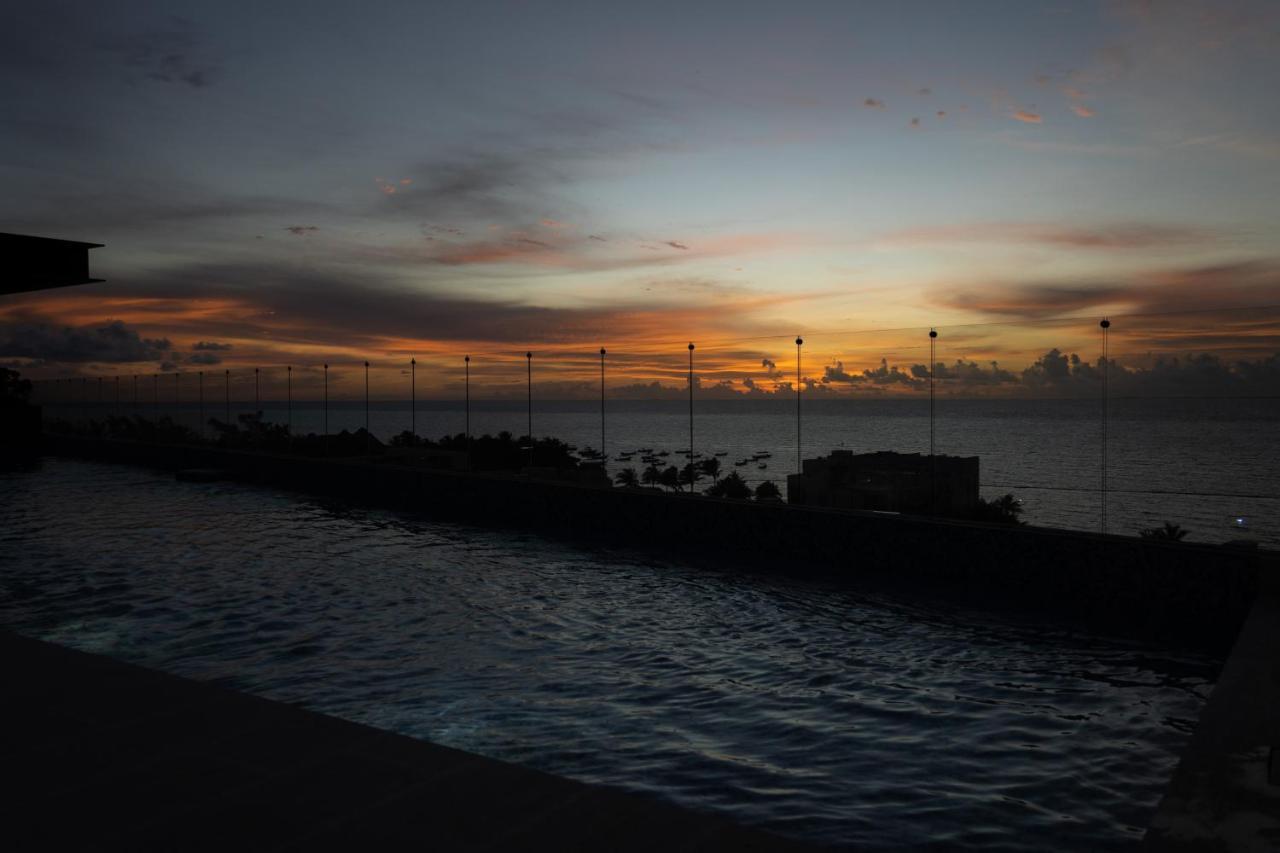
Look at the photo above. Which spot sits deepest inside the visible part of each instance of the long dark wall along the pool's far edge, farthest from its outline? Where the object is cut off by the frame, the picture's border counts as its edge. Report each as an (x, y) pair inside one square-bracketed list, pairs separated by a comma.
[(1186, 592)]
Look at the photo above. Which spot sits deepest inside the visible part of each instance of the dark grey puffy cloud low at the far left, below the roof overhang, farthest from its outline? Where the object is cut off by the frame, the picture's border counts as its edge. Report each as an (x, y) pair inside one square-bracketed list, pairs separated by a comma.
[(113, 343)]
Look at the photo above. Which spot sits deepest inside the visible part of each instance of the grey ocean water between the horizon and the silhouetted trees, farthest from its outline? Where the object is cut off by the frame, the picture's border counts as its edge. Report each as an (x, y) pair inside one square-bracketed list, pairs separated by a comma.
[(1210, 466)]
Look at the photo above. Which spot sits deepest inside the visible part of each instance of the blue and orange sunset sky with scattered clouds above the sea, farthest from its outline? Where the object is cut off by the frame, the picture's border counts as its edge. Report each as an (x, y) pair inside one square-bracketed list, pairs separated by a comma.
[(333, 183)]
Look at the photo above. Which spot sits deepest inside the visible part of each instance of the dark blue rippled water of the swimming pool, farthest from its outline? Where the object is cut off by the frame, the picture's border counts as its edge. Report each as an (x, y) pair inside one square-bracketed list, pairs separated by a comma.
[(847, 717)]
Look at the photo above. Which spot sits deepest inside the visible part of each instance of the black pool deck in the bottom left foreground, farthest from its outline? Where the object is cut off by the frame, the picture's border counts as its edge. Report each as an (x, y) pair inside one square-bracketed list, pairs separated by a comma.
[(112, 756)]
